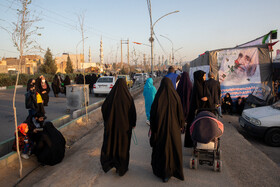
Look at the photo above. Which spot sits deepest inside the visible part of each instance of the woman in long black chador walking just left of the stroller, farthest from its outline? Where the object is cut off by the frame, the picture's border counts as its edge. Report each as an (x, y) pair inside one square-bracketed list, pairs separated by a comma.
[(167, 121)]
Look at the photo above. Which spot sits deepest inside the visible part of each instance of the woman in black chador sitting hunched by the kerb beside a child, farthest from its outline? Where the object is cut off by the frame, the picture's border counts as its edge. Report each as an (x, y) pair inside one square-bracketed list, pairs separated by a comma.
[(50, 148)]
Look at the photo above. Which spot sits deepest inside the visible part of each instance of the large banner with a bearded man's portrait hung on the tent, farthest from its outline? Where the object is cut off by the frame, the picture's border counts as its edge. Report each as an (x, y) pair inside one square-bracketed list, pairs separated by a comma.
[(239, 72)]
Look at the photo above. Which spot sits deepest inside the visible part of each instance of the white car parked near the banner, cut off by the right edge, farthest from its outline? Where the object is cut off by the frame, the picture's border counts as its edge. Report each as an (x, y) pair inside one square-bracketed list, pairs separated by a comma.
[(263, 122)]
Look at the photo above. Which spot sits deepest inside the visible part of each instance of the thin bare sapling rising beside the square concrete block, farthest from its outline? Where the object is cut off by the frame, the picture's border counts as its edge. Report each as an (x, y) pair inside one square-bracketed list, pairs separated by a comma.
[(81, 19)]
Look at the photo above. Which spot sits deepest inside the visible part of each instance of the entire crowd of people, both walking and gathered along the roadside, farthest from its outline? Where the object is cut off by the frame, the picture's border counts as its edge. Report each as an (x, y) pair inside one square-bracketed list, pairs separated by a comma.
[(170, 110)]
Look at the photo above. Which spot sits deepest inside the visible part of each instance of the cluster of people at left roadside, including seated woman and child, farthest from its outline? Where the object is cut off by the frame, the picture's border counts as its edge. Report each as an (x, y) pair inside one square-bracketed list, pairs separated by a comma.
[(35, 136)]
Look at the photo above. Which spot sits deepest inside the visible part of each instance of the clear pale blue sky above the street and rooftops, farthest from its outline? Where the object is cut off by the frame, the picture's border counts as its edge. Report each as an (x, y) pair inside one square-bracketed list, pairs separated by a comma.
[(199, 26)]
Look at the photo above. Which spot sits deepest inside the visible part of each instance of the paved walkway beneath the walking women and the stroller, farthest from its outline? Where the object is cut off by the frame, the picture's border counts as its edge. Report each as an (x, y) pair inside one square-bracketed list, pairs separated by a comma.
[(243, 165)]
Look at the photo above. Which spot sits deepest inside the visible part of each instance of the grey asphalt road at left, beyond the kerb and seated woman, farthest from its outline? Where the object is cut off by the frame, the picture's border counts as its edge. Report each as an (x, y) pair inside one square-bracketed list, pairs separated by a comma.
[(56, 109)]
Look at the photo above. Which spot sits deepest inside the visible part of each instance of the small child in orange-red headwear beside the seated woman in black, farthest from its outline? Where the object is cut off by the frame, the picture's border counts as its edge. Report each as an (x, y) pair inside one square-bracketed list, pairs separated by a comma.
[(24, 143)]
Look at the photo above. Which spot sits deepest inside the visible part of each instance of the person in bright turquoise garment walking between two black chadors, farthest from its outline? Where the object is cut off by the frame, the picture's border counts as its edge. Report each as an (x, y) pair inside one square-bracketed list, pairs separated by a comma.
[(149, 95)]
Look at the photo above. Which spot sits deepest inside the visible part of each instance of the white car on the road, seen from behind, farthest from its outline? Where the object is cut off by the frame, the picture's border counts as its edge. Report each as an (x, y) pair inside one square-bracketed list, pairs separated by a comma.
[(104, 85)]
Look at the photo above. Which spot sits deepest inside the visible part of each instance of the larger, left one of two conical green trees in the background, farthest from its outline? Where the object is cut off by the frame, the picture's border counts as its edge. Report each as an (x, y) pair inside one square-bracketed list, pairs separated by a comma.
[(49, 66)]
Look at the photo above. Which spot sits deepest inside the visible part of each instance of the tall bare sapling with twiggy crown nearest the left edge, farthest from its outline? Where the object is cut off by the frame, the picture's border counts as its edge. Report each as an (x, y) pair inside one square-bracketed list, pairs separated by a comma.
[(21, 36)]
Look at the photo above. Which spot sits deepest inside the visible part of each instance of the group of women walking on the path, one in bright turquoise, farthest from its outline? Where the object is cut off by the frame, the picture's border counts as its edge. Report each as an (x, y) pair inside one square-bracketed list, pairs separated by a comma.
[(167, 111)]
